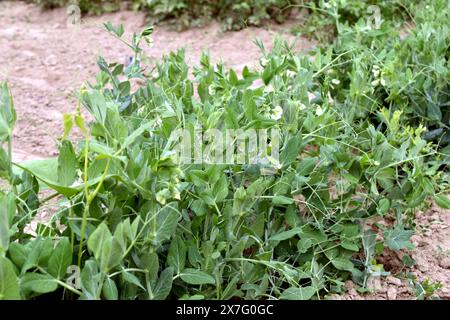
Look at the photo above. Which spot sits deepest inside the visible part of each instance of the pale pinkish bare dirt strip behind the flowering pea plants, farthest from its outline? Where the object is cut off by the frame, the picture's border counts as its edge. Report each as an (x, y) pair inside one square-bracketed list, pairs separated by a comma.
[(45, 61)]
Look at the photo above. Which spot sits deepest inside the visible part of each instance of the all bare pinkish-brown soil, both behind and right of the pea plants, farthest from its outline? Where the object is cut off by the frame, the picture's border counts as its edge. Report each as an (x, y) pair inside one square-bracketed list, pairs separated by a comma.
[(45, 62)]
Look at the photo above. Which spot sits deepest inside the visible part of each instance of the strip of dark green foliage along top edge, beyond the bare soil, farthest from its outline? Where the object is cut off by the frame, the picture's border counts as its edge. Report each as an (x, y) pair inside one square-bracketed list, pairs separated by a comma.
[(237, 14)]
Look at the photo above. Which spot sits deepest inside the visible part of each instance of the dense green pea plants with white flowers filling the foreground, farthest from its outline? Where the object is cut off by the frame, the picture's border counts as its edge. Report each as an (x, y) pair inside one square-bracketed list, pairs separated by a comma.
[(357, 144)]
